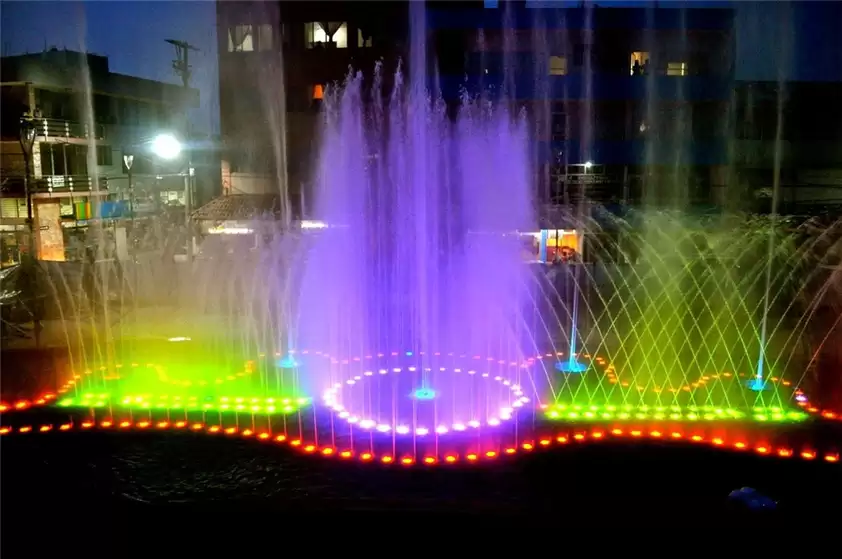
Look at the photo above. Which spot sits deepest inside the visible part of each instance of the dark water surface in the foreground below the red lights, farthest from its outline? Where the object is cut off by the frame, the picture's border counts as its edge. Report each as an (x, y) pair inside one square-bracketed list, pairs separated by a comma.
[(169, 488)]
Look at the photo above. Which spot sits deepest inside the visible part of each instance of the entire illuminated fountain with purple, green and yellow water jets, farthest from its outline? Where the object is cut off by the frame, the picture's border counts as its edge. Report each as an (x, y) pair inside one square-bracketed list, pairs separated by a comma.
[(411, 329)]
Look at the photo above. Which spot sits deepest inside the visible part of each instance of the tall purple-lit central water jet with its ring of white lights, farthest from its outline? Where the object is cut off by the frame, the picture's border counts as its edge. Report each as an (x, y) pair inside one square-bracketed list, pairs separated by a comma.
[(419, 252)]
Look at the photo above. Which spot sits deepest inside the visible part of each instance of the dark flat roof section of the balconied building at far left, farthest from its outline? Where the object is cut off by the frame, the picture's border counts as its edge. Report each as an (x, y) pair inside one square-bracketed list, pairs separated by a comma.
[(66, 69)]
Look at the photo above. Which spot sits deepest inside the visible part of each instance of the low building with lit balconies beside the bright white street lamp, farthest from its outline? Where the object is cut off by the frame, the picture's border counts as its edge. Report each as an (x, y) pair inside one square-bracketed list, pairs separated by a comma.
[(85, 118)]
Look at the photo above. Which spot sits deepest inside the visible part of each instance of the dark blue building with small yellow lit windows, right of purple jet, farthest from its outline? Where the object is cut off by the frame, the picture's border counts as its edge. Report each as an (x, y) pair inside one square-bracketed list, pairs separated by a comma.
[(625, 103)]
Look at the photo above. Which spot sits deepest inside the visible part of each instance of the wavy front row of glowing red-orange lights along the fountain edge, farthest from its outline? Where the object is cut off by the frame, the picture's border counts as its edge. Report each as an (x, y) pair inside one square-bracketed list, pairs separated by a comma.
[(538, 443)]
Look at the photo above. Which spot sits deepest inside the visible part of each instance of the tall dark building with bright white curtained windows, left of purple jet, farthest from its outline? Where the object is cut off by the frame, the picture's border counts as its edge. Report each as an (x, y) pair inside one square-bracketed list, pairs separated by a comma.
[(275, 61)]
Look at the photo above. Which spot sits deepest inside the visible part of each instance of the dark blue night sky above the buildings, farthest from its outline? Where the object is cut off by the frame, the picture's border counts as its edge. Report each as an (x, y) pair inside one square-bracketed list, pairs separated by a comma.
[(794, 40)]
